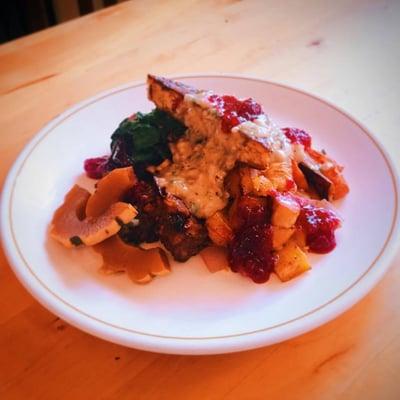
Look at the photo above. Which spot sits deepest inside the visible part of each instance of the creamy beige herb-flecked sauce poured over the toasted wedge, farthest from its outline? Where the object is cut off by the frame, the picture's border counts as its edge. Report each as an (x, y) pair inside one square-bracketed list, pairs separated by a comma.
[(200, 163)]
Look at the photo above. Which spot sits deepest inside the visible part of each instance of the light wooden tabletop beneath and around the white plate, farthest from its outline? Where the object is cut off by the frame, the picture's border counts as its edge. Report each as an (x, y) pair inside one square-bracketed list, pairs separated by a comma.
[(345, 51)]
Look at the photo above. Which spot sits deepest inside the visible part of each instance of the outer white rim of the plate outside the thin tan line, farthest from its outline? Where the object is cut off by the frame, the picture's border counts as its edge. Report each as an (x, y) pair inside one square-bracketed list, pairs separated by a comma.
[(194, 345)]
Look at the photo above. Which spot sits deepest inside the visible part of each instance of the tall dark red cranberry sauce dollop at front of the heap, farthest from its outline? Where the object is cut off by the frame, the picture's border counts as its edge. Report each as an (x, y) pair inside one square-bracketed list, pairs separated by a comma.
[(250, 252)]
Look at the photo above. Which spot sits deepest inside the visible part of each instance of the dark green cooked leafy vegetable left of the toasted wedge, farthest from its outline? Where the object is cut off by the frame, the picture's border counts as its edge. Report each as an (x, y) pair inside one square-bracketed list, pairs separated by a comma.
[(144, 139)]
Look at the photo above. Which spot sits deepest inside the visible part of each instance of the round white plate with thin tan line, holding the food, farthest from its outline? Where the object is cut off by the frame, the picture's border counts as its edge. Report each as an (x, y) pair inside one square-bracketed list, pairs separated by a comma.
[(192, 311)]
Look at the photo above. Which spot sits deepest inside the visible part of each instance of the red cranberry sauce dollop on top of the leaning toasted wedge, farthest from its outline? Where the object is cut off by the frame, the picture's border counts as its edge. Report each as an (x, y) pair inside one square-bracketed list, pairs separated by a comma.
[(234, 111)]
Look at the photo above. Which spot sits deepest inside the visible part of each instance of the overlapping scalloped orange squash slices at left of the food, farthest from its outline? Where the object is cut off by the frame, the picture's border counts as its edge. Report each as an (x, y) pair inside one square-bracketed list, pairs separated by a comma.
[(95, 219)]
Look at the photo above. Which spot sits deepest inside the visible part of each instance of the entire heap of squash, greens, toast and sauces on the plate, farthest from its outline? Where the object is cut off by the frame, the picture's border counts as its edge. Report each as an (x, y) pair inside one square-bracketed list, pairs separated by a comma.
[(205, 174)]
